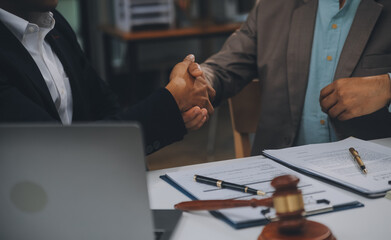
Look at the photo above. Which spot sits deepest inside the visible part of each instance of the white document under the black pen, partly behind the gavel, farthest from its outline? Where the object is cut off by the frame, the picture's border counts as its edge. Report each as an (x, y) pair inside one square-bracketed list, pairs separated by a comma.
[(257, 172)]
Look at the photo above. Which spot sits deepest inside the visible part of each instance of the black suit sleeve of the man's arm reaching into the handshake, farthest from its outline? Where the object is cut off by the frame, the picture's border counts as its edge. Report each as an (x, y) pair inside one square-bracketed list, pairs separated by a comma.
[(158, 114)]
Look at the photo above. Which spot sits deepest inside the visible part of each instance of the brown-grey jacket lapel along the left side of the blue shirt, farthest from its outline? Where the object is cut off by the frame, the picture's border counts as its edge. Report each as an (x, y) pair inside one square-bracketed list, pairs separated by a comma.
[(299, 55)]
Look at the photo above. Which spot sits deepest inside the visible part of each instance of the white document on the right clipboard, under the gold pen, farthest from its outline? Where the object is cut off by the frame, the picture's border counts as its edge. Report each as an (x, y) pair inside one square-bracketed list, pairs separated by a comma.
[(334, 162)]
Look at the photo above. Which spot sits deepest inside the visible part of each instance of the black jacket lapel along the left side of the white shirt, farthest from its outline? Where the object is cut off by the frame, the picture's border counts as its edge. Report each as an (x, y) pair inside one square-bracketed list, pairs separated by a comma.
[(15, 55)]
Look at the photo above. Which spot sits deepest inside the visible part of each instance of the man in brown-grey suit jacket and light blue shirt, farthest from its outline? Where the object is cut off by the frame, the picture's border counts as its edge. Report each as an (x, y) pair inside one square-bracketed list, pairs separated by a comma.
[(323, 67)]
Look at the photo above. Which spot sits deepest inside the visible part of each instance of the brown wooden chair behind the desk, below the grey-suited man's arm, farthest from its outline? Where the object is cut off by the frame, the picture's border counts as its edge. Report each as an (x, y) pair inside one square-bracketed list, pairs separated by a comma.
[(244, 109)]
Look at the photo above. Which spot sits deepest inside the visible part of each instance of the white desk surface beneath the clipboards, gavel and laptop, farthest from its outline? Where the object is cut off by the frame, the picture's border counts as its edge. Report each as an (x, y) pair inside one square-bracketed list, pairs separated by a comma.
[(370, 222)]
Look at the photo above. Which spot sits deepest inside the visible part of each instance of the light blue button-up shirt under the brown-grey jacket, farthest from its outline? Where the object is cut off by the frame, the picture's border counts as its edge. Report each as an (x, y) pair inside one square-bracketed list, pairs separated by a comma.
[(331, 29)]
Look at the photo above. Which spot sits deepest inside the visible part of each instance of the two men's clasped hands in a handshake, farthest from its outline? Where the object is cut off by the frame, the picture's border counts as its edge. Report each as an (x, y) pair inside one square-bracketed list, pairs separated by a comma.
[(191, 92)]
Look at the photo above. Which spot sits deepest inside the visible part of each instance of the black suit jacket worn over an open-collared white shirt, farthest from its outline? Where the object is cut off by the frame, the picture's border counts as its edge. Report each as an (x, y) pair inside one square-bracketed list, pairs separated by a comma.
[(24, 96)]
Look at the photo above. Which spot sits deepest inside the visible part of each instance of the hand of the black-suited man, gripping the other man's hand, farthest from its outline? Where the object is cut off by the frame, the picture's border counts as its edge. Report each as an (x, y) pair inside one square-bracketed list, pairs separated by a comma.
[(187, 91)]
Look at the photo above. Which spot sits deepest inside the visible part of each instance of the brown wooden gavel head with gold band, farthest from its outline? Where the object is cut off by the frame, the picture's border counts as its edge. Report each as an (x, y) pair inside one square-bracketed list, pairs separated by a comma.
[(288, 203)]
